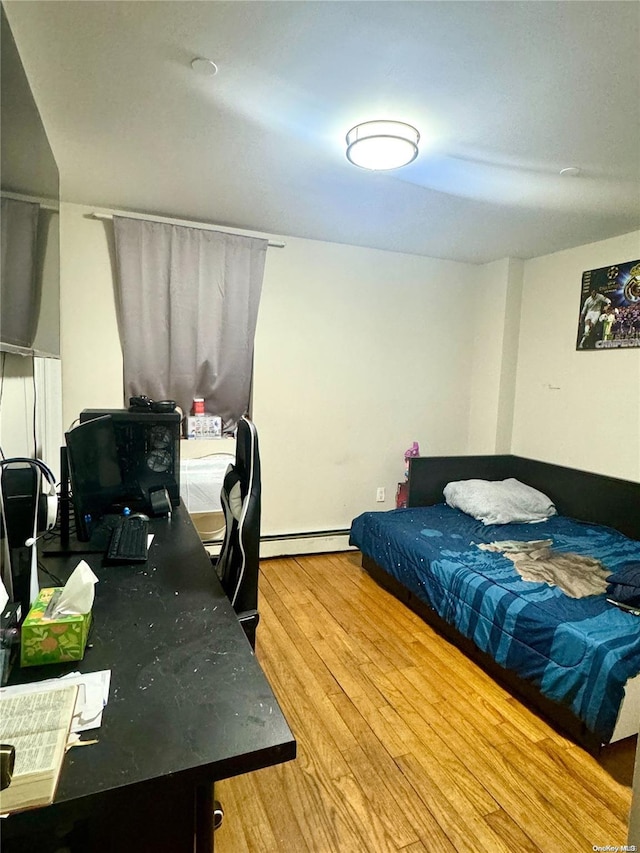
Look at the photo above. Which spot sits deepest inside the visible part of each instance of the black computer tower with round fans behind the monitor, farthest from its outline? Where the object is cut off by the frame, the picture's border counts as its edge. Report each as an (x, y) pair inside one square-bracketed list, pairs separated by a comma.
[(148, 449)]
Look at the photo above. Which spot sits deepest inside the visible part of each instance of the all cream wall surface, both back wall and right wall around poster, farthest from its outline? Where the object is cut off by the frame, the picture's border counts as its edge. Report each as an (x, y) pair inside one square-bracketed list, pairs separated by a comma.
[(360, 352)]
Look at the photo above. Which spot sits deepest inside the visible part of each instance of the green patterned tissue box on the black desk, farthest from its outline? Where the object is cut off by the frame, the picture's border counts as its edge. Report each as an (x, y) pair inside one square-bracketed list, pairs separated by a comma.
[(52, 640)]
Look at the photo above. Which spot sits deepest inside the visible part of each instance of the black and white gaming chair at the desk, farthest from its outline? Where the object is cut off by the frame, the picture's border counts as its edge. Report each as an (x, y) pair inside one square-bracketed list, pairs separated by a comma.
[(238, 563)]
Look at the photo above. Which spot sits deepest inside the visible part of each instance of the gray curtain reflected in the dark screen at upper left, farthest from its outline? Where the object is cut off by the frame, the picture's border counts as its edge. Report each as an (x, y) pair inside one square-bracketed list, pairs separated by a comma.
[(20, 288)]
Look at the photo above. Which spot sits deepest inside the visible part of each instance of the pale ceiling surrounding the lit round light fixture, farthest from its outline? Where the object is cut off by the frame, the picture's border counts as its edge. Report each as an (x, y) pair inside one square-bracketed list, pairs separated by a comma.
[(505, 95)]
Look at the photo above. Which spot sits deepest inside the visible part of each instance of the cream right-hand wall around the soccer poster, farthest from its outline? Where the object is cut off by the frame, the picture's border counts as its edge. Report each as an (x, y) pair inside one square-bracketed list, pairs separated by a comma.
[(580, 409)]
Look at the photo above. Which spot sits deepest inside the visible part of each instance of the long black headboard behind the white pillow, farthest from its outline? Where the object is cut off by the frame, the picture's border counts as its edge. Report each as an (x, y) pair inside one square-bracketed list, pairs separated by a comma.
[(580, 494)]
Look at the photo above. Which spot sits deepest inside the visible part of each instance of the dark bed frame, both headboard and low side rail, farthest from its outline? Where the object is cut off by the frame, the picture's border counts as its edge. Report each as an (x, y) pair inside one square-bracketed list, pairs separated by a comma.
[(588, 497)]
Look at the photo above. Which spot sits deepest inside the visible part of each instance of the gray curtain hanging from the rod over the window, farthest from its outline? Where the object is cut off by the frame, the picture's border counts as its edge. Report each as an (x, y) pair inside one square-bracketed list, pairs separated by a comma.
[(187, 309)]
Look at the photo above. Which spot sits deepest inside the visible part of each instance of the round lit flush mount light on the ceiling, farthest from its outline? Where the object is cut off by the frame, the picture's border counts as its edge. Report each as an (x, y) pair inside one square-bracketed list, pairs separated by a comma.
[(380, 145)]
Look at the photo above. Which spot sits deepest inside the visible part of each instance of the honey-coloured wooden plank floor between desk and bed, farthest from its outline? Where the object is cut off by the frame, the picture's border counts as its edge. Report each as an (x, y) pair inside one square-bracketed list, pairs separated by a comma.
[(404, 744)]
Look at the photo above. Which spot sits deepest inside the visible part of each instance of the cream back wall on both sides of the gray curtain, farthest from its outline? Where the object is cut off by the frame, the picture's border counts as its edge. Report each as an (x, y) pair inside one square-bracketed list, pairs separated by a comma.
[(358, 353)]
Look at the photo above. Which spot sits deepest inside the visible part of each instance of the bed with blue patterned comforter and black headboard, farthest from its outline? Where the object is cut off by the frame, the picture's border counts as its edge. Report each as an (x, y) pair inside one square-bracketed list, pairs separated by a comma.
[(576, 660)]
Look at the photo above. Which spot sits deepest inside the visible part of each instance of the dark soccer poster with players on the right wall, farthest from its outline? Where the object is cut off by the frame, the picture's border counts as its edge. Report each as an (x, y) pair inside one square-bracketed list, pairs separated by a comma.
[(610, 308)]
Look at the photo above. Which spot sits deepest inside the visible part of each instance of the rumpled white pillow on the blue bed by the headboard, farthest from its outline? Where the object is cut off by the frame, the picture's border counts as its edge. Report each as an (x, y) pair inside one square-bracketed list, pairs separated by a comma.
[(500, 501)]
